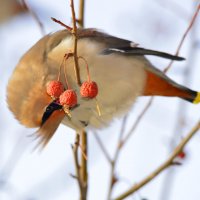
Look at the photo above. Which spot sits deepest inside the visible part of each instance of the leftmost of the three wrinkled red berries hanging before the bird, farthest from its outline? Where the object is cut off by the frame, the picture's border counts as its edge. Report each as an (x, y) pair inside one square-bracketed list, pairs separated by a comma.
[(55, 89)]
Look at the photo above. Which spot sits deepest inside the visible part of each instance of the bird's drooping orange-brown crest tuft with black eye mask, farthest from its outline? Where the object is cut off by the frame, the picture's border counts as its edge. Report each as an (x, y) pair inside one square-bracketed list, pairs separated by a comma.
[(51, 119)]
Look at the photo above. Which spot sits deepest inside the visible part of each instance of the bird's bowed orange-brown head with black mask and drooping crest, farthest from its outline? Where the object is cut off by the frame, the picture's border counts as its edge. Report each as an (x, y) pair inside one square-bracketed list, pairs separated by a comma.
[(33, 107)]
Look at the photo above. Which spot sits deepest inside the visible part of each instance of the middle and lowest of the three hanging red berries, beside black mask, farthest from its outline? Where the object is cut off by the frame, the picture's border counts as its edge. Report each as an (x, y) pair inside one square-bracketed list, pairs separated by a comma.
[(68, 98)]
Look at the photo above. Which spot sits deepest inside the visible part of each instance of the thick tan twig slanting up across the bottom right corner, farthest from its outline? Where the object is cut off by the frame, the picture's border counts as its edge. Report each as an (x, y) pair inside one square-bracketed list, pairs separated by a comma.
[(162, 167)]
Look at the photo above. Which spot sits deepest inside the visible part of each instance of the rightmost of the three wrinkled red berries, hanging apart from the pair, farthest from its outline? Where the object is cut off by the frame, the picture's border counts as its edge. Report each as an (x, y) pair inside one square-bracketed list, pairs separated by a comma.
[(89, 89)]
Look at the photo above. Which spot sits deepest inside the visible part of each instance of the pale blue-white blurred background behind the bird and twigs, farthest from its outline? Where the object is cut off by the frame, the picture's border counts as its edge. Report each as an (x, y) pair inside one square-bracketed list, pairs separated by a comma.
[(156, 24)]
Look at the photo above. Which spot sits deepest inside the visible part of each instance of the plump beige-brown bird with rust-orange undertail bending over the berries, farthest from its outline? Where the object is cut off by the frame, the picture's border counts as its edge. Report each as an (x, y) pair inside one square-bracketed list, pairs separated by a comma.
[(118, 66)]
